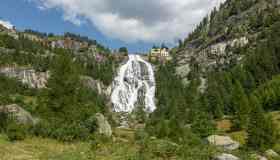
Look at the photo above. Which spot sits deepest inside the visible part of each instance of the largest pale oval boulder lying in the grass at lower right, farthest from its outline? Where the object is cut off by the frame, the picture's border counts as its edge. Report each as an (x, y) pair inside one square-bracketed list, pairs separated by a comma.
[(223, 141)]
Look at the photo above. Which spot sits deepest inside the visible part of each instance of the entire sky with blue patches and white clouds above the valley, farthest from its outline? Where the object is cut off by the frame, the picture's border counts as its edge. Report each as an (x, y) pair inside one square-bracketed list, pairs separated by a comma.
[(136, 24)]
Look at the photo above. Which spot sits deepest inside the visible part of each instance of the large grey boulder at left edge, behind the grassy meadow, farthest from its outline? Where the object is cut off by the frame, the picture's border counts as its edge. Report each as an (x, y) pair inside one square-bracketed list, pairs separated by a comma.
[(18, 113)]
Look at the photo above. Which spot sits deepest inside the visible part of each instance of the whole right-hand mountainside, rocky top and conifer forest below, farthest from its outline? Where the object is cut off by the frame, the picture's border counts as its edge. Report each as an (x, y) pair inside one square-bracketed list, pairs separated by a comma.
[(221, 67)]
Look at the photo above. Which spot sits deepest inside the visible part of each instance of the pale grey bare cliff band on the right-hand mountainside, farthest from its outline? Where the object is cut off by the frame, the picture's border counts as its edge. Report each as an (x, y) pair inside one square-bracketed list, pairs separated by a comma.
[(210, 57)]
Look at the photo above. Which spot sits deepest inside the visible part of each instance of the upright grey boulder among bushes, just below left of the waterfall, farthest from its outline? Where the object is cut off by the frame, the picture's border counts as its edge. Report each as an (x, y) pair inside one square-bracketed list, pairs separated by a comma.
[(104, 127)]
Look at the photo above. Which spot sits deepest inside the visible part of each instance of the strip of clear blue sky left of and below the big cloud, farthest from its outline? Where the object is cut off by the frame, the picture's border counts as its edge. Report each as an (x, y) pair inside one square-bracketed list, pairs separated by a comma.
[(26, 15)]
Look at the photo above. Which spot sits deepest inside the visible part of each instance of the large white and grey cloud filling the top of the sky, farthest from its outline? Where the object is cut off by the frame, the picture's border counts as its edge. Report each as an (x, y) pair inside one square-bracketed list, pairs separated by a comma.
[(136, 20)]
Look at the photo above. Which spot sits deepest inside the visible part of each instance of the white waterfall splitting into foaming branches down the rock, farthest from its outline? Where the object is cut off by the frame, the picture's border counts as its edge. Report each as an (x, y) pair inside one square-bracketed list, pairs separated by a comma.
[(134, 83)]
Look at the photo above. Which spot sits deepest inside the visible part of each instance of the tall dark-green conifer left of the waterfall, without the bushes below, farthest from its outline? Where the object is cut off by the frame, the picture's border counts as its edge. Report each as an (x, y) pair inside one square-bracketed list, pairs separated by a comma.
[(63, 83)]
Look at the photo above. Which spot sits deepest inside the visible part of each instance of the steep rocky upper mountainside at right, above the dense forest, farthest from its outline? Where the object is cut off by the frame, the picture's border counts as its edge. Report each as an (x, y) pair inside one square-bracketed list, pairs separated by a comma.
[(237, 24)]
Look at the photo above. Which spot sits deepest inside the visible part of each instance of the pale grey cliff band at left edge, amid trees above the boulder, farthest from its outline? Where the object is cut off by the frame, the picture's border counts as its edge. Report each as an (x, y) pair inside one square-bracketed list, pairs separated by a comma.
[(27, 76)]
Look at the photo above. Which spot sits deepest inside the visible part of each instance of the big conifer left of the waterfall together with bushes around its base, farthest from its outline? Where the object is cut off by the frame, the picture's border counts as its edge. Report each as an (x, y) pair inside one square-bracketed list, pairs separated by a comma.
[(67, 106)]
